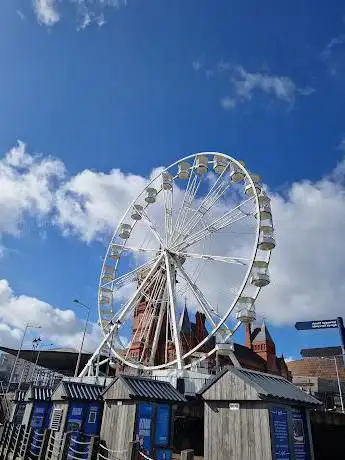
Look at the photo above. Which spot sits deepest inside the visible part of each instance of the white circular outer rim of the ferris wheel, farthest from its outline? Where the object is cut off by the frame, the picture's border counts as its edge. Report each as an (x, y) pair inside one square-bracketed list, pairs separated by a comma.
[(240, 290)]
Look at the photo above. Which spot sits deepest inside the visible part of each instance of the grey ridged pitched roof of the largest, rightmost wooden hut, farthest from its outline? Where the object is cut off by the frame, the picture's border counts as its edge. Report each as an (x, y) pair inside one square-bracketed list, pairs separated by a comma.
[(267, 385)]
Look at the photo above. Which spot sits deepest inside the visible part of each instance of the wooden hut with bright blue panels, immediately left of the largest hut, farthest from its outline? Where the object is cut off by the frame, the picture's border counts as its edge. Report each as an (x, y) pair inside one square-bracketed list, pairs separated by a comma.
[(137, 418)]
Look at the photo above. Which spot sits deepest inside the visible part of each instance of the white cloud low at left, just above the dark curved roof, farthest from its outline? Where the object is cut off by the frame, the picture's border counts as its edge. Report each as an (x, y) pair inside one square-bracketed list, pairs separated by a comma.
[(61, 327)]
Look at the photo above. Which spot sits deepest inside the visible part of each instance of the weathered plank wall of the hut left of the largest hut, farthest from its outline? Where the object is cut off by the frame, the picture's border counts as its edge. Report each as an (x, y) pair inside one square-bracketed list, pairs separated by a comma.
[(118, 424)]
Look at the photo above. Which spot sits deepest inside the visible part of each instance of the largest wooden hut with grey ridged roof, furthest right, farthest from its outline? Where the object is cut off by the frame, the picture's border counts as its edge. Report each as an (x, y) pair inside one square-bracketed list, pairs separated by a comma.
[(251, 415)]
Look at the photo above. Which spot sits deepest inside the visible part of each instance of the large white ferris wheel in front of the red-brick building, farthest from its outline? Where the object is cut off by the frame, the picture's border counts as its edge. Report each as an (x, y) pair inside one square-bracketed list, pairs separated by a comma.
[(196, 241)]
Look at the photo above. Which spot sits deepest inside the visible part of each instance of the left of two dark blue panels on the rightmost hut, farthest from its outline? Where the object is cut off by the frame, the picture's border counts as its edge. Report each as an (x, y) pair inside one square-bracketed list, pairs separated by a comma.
[(280, 433)]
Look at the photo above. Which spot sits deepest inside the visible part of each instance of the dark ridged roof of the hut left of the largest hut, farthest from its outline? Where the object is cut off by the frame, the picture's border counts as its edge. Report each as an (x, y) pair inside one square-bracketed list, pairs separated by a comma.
[(156, 390)]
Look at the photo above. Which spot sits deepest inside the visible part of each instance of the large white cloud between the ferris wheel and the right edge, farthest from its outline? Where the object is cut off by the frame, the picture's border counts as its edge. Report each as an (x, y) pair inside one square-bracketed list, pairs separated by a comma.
[(309, 261)]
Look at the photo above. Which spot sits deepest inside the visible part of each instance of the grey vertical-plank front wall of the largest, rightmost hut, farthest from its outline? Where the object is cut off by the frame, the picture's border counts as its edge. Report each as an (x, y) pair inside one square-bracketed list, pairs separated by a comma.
[(242, 434)]
